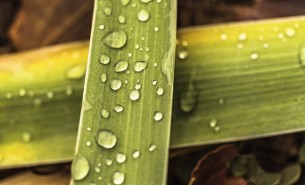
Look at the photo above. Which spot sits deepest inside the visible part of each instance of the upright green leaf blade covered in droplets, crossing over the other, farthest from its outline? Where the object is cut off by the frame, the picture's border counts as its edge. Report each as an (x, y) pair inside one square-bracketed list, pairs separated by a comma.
[(125, 118)]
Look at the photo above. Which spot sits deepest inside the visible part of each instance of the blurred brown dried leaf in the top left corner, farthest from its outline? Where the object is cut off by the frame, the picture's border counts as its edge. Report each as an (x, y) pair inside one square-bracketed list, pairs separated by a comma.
[(47, 22)]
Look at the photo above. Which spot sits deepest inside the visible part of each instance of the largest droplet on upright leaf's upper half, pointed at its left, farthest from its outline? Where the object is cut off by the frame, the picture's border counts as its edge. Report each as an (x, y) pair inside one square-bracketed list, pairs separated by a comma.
[(116, 39)]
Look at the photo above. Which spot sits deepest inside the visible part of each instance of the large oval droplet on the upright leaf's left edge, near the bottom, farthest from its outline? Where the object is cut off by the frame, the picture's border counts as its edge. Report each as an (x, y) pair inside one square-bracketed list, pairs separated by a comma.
[(80, 167)]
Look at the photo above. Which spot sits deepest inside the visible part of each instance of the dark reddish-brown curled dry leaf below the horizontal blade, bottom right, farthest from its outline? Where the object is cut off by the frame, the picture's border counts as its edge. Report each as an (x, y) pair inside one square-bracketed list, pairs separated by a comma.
[(212, 168)]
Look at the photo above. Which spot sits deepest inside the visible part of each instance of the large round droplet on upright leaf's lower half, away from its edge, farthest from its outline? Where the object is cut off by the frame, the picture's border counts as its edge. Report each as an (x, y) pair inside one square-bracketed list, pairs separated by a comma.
[(106, 138)]
